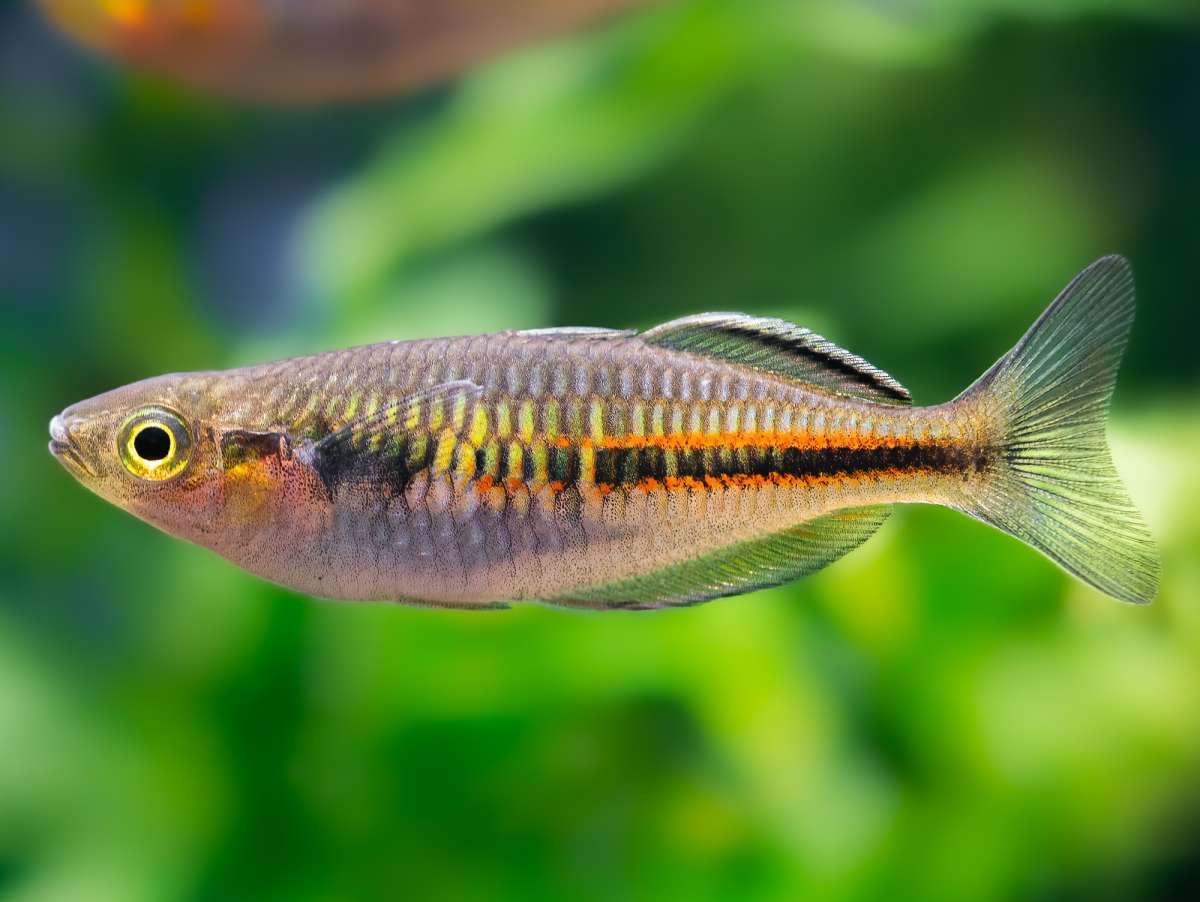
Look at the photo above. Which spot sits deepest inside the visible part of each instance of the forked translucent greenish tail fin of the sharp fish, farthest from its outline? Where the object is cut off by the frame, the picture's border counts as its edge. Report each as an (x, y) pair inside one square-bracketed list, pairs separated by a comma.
[(1053, 484)]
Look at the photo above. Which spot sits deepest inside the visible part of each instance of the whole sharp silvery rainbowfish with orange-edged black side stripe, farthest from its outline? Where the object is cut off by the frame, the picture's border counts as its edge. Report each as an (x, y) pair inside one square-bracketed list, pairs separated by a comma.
[(707, 456)]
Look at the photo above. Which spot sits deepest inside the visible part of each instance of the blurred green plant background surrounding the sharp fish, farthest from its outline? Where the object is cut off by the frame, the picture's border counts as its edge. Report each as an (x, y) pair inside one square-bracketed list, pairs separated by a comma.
[(941, 715)]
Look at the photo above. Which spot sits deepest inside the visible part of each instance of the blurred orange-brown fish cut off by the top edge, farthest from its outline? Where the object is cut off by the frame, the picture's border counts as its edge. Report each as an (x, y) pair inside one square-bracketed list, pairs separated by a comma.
[(313, 51)]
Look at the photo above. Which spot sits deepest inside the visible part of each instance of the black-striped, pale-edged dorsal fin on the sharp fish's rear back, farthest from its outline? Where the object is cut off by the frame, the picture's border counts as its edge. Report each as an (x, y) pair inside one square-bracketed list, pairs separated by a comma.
[(783, 348)]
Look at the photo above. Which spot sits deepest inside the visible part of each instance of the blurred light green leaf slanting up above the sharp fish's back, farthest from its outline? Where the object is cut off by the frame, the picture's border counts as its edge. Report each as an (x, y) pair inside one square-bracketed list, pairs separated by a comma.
[(547, 129)]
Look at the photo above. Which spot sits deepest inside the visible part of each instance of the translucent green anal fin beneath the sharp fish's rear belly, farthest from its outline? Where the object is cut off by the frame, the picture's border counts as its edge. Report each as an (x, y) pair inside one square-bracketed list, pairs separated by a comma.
[(746, 567)]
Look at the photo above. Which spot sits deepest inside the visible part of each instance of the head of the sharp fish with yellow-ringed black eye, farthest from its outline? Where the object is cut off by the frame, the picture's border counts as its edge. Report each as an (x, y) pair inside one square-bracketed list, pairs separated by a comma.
[(153, 449)]
